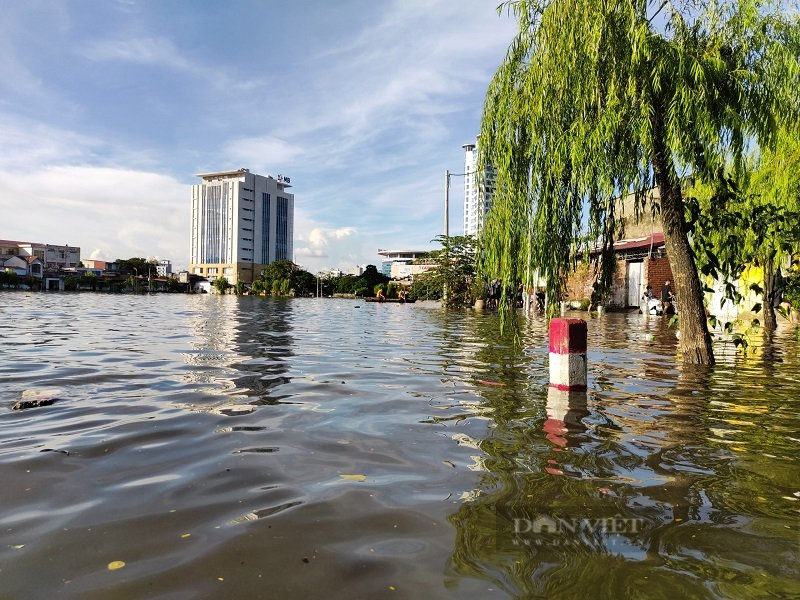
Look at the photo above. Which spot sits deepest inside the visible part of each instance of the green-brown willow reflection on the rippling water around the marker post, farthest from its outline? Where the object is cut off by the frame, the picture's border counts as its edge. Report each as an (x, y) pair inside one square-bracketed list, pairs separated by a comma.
[(624, 491)]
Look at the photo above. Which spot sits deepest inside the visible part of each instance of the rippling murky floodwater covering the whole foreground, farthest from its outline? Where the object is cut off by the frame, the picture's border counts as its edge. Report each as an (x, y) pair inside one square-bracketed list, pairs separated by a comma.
[(226, 447)]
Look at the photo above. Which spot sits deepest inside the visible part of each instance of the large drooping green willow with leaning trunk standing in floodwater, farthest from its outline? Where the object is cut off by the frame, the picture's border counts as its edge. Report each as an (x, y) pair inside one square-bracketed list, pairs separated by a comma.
[(598, 98)]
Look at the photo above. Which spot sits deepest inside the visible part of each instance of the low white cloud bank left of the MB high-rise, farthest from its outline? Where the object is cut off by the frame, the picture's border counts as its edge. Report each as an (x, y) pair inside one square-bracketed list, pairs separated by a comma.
[(109, 212)]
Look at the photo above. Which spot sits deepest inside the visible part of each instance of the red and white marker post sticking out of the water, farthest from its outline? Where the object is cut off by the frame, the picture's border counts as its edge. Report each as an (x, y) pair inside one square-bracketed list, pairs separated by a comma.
[(568, 355)]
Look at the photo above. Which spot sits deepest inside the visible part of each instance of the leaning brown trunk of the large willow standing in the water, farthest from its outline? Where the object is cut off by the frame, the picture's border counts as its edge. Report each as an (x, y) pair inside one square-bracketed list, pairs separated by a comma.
[(695, 341)]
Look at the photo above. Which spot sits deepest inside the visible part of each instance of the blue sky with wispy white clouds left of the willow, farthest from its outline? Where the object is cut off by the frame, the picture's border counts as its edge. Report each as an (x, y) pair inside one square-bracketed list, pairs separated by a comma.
[(108, 108)]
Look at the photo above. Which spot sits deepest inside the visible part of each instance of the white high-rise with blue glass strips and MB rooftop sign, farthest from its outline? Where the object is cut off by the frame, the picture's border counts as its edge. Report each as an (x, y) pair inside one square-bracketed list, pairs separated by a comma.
[(241, 222)]
